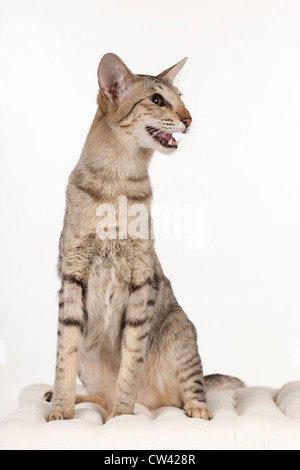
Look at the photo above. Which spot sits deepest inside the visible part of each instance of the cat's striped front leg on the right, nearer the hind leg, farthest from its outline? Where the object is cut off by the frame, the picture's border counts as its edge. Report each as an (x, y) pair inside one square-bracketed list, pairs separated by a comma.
[(137, 318)]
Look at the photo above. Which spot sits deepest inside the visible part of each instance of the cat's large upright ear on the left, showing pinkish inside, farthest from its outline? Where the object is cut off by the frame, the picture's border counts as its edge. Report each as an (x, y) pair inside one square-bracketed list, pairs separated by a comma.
[(114, 77)]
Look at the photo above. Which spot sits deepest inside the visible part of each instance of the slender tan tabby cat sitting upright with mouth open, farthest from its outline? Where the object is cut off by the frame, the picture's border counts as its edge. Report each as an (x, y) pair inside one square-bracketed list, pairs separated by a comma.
[(119, 325)]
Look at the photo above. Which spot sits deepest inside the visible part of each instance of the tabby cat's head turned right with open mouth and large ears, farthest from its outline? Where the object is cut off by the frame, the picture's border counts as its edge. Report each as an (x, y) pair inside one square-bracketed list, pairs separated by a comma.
[(148, 109)]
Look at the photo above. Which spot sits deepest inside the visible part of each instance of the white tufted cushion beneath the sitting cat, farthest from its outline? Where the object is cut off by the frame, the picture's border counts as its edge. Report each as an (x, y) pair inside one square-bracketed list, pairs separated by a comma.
[(250, 418)]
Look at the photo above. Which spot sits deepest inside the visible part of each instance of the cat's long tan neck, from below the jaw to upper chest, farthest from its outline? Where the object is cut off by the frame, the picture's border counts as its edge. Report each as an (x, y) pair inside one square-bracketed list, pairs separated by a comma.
[(112, 165)]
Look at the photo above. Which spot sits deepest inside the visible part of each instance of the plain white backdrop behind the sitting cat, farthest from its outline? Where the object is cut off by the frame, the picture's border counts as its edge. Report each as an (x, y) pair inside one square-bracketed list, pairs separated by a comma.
[(240, 164)]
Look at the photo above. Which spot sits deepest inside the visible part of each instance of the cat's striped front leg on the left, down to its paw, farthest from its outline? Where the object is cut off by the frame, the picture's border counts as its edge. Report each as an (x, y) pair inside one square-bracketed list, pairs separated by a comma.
[(70, 326)]
